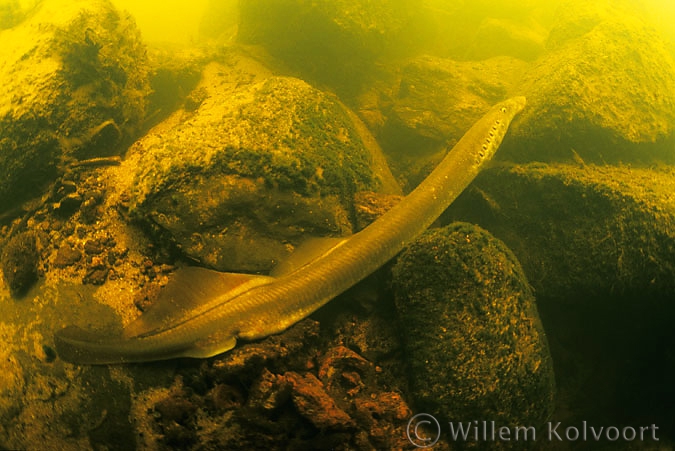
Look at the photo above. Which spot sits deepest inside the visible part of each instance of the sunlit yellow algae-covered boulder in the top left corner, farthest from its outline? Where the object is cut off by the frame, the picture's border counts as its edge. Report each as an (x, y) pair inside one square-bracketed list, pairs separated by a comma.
[(74, 82)]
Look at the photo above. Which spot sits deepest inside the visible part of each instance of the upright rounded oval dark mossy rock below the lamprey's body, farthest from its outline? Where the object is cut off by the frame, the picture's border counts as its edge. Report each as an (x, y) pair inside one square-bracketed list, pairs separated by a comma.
[(475, 346)]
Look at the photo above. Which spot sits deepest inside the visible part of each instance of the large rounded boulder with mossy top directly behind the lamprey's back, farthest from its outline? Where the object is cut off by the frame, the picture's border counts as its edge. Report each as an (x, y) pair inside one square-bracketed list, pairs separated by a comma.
[(253, 171)]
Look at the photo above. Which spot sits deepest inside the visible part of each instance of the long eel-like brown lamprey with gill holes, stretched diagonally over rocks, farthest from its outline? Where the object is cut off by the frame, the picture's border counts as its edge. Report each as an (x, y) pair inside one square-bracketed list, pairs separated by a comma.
[(202, 313)]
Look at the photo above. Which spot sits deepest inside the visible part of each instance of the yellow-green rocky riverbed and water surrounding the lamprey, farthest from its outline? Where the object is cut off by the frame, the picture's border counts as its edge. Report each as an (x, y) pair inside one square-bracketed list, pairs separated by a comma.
[(137, 138)]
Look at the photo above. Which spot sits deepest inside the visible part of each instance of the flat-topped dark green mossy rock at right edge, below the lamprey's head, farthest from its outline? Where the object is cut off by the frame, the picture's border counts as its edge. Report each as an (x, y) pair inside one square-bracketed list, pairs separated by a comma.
[(582, 231)]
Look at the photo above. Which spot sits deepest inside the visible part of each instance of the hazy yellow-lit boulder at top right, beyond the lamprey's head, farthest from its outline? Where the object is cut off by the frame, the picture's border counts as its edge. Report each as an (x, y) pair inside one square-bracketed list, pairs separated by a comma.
[(605, 90)]
